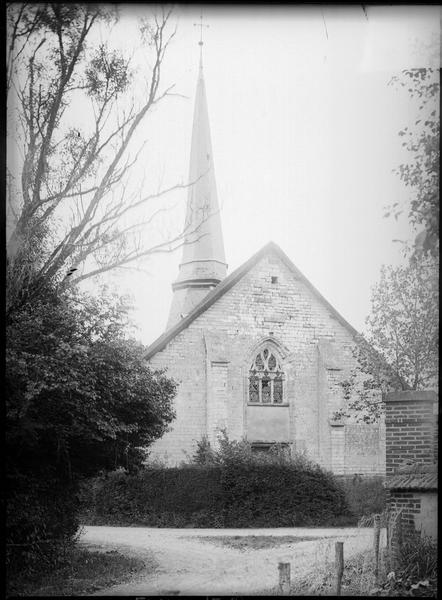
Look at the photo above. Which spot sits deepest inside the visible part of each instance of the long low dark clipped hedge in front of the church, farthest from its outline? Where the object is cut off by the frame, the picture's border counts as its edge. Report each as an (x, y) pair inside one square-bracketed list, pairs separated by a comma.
[(239, 495)]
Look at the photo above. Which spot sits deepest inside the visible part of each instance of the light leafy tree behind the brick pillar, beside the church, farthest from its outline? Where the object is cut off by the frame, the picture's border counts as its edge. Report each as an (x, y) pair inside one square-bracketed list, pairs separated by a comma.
[(401, 348)]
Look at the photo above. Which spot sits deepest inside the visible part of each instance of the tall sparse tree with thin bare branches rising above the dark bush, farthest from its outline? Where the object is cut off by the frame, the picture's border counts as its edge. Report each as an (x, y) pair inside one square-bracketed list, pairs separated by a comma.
[(69, 203)]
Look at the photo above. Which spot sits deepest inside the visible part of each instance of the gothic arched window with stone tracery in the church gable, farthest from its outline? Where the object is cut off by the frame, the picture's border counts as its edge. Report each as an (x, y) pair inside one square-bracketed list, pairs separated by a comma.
[(266, 378)]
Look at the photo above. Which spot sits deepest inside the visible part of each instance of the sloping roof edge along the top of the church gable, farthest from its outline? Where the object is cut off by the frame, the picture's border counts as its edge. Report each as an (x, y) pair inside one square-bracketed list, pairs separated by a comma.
[(225, 285)]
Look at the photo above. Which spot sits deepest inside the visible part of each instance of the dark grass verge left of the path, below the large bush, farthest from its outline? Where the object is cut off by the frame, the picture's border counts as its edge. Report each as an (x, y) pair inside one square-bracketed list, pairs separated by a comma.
[(82, 572)]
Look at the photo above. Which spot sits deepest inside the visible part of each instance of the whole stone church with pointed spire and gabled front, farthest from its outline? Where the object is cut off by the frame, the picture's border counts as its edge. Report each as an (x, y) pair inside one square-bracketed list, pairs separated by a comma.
[(259, 353)]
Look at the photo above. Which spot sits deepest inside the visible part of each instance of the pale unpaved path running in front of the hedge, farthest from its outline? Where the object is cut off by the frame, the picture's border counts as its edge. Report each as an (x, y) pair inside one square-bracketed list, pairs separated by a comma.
[(190, 565)]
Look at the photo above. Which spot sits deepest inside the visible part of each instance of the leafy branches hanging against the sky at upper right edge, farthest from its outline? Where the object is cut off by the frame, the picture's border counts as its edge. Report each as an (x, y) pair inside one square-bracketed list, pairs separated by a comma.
[(421, 173)]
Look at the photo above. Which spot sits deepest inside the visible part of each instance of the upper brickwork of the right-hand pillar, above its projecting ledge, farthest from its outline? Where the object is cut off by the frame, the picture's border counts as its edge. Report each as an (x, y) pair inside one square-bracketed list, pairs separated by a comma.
[(410, 433)]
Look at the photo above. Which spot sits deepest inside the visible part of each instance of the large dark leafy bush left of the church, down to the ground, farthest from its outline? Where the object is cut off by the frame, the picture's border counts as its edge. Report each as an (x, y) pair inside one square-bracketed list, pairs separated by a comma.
[(79, 398)]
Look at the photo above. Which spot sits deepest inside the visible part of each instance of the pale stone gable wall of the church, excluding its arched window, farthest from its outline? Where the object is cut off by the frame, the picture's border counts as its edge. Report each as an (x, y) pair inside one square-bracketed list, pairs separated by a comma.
[(211, 358)]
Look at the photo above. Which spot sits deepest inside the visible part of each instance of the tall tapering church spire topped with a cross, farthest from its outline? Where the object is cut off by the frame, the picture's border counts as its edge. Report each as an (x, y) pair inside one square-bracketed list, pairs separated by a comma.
[(203, 264)]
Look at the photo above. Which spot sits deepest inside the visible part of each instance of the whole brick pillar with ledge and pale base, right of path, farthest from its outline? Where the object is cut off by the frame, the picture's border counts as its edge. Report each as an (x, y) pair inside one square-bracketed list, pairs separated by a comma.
[(411, 459)]
